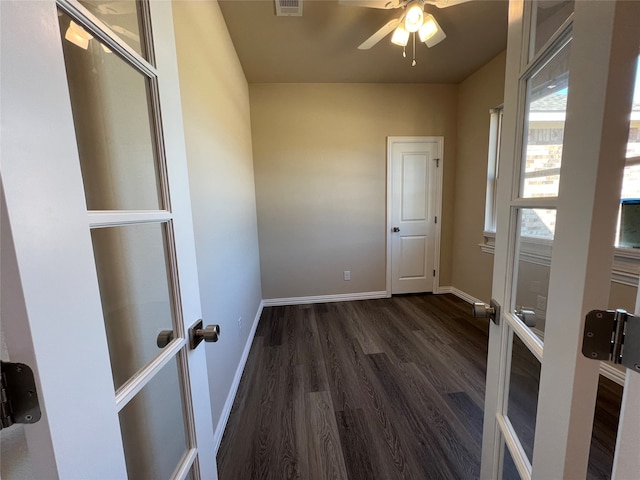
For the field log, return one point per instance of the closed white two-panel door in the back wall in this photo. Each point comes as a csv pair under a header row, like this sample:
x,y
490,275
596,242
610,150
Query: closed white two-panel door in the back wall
x,y
413,193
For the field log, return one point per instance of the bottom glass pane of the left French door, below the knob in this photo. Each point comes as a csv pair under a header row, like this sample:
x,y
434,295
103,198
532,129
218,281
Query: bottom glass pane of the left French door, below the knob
x,y
153,427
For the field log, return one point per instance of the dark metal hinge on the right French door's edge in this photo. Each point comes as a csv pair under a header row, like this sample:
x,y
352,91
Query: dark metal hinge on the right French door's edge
x,y
614,336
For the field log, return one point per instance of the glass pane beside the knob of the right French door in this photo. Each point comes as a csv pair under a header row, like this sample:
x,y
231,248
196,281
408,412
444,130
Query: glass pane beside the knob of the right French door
x,y
533,246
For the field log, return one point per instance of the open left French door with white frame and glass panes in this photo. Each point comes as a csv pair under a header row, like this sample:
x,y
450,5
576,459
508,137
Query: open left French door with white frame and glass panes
x,y
98,255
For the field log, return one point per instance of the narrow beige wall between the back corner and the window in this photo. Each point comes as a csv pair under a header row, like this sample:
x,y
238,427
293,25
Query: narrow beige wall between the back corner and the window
x,y
472,270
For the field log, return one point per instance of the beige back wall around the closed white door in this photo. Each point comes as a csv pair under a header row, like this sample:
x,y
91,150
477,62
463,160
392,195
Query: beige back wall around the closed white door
x,y
320,163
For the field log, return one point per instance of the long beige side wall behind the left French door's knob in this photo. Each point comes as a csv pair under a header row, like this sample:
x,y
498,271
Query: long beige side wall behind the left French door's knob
x,y
215,101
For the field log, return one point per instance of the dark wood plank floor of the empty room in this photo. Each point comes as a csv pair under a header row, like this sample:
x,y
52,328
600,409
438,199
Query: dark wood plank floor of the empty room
x,y
374,389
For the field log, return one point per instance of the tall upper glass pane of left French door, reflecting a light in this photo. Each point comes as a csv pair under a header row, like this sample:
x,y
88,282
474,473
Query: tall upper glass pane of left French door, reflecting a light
x,y
114,126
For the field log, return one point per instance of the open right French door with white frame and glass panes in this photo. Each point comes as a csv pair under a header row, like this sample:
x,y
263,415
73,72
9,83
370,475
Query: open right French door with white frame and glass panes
x,y
569,87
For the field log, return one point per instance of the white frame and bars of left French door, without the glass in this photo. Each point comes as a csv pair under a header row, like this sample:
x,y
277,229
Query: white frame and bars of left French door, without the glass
x,y
51,307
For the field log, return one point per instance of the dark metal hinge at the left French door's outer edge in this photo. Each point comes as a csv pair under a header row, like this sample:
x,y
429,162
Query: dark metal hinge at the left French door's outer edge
x,y
19,397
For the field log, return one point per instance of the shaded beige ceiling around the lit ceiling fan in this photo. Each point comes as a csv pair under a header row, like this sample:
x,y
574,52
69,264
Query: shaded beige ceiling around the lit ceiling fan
x,y
321,45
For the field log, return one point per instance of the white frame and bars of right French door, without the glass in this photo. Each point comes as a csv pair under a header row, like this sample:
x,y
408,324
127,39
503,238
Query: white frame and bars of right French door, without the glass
x,y
604,48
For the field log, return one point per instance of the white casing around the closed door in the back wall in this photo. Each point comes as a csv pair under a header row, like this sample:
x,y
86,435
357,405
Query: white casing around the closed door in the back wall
x,y
436,197
